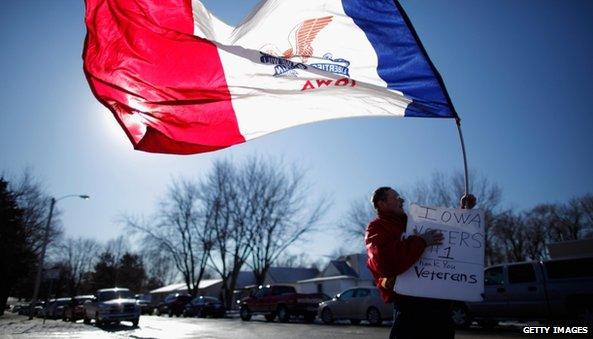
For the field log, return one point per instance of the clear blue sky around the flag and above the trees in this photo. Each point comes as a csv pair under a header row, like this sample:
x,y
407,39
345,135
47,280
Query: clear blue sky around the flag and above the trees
x,y
518,71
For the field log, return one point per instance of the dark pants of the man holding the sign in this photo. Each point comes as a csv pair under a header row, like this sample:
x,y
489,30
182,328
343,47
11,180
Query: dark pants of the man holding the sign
x,y
422,318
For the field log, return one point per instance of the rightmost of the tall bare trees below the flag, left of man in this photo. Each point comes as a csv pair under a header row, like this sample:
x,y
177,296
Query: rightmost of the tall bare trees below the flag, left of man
x,y
277,210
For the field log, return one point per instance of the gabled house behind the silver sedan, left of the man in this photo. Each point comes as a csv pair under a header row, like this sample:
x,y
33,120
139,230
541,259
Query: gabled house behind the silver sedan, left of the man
x,y
340,274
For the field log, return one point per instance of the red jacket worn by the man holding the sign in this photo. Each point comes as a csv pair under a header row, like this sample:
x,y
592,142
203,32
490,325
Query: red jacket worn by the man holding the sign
x,y
389,255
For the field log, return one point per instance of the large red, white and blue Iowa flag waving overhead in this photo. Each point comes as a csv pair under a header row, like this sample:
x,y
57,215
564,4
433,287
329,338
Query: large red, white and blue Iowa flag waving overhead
x,y
178,80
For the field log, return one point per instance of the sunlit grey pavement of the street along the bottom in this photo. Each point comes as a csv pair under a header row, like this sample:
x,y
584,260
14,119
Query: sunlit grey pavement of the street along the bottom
x,y
15,326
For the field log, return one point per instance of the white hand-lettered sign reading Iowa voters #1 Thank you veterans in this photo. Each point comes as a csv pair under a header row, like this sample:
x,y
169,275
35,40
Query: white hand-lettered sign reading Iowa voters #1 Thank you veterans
x,y
453,270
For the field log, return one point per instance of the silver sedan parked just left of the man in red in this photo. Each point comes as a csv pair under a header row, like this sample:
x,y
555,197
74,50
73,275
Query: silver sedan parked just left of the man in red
x,y
356,304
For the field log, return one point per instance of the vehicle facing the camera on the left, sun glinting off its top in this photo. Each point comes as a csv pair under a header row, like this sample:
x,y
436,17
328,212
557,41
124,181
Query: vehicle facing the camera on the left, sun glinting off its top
x,y
112,305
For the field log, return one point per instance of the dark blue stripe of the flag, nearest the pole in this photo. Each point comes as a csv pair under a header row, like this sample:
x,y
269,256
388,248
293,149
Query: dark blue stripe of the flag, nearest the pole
x,y
402,63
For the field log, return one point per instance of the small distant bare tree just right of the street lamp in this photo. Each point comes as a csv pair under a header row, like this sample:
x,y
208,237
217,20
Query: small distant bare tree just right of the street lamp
x,y
79,257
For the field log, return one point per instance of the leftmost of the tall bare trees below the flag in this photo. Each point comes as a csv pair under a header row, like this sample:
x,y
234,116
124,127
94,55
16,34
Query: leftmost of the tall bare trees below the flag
x,y
180,229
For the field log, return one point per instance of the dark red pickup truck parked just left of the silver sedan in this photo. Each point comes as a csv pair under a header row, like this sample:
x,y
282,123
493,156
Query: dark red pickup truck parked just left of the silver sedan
x,y
280,301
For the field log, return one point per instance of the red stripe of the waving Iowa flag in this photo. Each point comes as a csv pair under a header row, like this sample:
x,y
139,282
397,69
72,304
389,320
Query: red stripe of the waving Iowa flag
x,y
165,86
